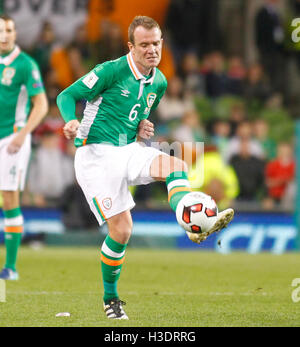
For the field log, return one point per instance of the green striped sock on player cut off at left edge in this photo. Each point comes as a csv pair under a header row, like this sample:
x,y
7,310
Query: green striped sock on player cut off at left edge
x,y
13,229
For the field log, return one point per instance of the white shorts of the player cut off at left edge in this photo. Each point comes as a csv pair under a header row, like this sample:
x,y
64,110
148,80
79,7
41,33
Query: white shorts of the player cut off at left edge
x,y
13,167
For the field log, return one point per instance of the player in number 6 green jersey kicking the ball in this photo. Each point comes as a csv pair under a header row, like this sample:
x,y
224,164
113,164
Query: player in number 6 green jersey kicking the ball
x,y
120,95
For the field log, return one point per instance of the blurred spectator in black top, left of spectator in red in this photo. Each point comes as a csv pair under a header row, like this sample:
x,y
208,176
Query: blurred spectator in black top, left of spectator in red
x,y
250,172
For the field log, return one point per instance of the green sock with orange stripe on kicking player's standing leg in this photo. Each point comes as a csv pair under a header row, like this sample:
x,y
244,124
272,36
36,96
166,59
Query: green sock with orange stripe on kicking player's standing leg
x,y
112,258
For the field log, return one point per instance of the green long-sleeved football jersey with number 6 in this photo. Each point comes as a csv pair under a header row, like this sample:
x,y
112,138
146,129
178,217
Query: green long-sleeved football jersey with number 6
x,y
118,98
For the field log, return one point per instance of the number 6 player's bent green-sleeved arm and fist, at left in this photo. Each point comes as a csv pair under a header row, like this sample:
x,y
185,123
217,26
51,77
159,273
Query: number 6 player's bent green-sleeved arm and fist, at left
x,y
88,87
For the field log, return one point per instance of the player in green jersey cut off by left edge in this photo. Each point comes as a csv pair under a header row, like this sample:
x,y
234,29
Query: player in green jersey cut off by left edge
x,y
20,86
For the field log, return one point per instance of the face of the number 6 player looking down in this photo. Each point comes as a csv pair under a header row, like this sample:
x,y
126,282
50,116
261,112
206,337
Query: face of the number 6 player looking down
x,y
146,50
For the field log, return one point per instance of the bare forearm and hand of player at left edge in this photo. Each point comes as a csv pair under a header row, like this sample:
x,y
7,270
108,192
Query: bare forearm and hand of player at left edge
x,y
38,112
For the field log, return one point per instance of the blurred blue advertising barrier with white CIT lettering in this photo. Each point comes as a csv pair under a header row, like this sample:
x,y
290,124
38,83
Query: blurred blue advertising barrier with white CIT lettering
x,y
249,232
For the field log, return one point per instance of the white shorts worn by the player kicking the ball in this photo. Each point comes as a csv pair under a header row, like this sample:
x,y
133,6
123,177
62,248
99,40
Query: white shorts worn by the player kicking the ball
x,y
105,172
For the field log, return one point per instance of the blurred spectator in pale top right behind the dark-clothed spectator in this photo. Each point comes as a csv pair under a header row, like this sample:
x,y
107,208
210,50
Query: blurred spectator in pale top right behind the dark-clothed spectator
x,y
244,134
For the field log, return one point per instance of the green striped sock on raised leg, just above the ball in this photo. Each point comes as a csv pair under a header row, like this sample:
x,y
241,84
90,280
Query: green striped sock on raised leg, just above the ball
x,y
178,186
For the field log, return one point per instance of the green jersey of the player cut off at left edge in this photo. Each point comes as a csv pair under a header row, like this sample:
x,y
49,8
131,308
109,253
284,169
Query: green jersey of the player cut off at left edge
x,y
20,79
